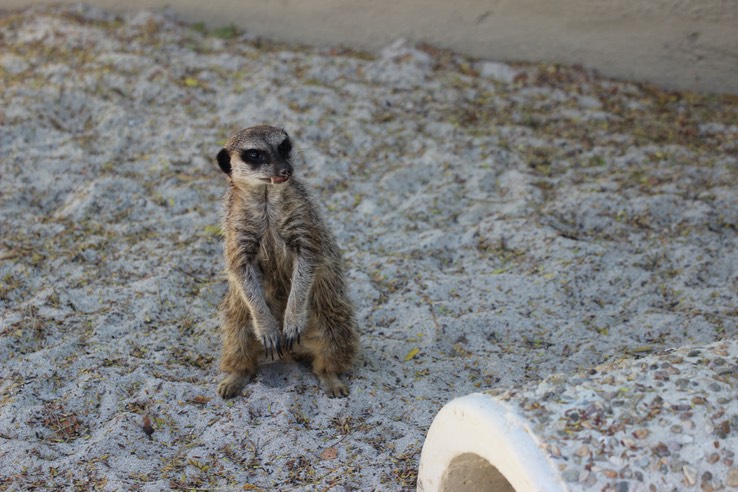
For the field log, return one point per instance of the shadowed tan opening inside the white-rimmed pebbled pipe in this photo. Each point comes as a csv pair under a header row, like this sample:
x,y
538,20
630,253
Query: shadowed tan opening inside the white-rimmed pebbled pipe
x,y
470,472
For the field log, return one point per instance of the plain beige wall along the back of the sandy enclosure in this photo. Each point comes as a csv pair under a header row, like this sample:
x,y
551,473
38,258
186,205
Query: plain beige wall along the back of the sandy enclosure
x,y
676,44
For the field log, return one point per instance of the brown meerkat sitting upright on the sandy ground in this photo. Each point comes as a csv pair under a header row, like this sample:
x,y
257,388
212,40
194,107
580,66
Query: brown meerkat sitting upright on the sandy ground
x,y
286,292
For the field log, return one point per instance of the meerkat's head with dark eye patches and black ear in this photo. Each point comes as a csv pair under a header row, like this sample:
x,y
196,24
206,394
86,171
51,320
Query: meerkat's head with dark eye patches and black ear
x,y
258,155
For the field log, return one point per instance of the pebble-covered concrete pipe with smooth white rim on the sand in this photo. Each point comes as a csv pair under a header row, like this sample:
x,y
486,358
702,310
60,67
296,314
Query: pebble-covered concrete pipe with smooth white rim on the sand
x,y
661,423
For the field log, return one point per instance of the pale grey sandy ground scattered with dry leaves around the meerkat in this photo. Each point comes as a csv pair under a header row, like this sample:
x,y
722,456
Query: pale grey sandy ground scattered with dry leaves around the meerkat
x,y
499,223
